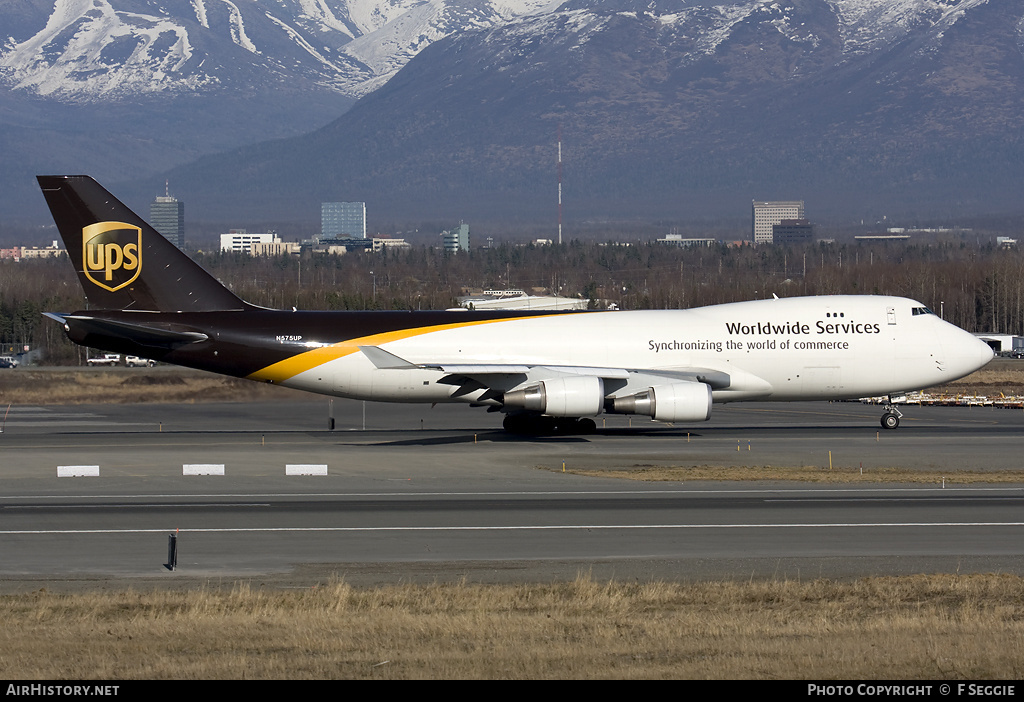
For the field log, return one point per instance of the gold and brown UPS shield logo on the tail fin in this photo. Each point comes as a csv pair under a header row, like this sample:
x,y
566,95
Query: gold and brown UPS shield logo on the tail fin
x,y
112,254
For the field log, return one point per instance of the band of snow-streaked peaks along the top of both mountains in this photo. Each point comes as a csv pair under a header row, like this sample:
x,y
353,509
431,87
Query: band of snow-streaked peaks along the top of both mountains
x,y
117,50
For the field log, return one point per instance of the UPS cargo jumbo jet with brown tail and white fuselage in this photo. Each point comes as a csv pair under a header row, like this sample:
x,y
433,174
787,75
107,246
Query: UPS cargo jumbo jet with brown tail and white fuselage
x,y
546,372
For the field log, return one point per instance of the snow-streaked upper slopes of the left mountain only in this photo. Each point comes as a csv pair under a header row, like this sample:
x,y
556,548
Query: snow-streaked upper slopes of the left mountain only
x,y
88,51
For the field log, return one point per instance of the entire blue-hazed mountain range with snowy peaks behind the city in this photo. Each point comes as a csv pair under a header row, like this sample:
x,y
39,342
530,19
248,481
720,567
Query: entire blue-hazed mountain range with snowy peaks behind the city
x,y
663,103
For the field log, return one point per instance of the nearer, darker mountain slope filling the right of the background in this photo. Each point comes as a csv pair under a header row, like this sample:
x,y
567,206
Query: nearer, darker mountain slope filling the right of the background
x,y
678,108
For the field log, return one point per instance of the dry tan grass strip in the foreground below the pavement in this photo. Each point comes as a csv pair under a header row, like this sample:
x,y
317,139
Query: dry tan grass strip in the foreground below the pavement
x,y
921,628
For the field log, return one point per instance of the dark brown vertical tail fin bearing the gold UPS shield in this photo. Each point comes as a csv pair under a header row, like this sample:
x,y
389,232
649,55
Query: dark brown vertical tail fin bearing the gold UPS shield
x,y
122,262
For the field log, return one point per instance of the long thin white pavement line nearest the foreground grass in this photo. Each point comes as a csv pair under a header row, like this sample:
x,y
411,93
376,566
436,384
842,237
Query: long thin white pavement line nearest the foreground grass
x,y
546,528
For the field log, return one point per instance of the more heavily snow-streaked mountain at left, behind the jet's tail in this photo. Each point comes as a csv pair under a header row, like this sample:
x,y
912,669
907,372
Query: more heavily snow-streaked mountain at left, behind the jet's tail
x,y
123,89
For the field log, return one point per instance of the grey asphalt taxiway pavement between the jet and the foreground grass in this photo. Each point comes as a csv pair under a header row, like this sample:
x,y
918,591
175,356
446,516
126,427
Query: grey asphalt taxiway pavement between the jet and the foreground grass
x,y
420,494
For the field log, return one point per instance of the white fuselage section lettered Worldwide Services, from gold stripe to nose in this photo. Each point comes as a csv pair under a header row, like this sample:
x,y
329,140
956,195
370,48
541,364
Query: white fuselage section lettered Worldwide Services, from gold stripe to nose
x,y
782,349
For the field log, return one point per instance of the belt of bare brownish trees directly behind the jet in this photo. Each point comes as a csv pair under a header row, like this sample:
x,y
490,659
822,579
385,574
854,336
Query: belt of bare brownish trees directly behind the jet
x,y
980,289
